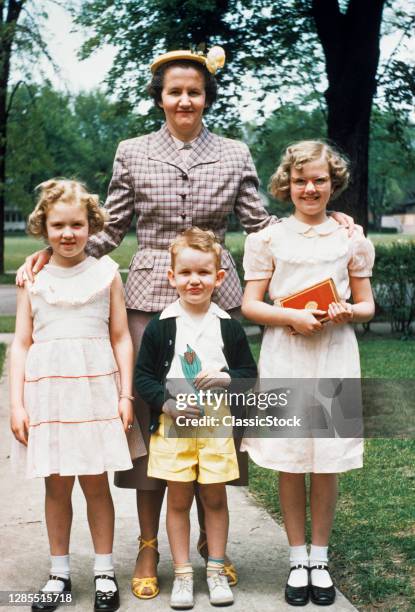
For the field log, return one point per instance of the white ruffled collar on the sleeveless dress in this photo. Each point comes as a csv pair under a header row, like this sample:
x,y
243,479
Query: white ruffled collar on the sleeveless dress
x,y
75,289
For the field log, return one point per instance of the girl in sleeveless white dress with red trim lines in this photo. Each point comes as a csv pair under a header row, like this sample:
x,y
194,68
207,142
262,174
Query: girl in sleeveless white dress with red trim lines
x,y
71,381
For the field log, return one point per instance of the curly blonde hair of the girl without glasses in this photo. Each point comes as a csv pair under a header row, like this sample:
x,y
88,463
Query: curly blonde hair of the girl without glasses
x,y
68,191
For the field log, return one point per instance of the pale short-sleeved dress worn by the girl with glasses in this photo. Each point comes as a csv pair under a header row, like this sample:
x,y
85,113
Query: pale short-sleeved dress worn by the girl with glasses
x,y
295,256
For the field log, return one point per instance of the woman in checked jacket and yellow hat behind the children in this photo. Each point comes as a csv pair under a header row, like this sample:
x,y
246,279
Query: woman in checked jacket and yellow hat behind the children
x,y
172,179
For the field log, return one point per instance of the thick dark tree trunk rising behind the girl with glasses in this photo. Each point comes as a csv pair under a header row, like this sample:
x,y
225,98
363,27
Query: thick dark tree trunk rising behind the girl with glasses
x,y
351,47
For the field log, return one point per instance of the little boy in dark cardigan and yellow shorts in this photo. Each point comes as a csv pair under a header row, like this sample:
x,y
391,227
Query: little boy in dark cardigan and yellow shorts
x,y
193,339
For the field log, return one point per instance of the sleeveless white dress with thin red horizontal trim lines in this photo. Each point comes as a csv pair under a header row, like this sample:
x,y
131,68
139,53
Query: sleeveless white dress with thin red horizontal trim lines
x,y
70,391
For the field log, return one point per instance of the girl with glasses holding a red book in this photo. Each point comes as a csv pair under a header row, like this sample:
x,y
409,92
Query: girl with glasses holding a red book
x,y
283,259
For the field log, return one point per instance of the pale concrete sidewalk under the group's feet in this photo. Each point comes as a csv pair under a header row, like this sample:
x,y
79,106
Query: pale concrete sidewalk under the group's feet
x,y
257,545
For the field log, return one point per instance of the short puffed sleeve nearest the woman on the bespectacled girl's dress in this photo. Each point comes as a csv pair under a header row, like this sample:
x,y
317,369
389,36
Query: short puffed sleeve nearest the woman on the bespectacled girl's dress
x,y
258,261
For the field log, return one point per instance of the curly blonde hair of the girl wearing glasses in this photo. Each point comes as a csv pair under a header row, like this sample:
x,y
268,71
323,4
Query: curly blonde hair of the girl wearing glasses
x,y
301,153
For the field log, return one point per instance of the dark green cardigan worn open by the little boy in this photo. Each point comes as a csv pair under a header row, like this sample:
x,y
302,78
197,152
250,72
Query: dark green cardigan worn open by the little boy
x,y
157,352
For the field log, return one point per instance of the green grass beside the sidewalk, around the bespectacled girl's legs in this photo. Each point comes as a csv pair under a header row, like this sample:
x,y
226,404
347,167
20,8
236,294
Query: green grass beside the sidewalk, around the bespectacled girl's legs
x,y
373,541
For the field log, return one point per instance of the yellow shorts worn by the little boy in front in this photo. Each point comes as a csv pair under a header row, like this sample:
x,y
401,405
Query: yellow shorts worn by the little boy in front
x,y
208,460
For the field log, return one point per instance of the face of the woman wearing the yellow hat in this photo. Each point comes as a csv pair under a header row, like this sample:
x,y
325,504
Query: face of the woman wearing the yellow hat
x,y
183,99
